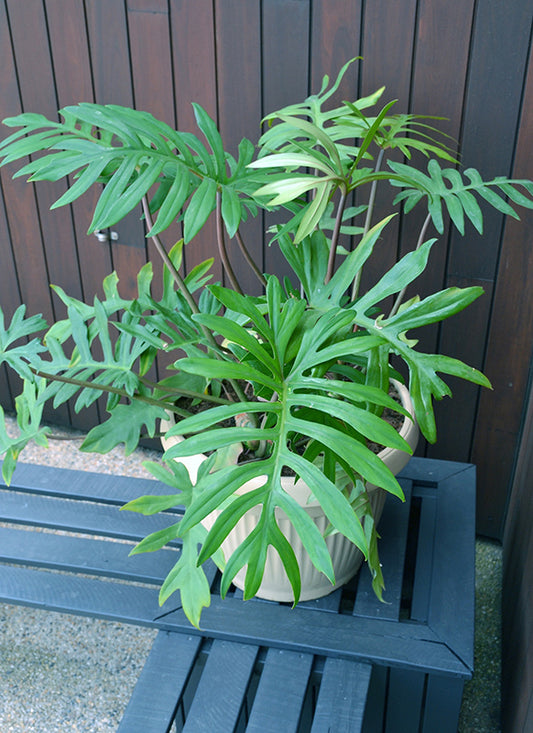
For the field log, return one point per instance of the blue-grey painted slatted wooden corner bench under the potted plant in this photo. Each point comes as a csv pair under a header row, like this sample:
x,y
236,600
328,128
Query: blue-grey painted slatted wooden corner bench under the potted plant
x,y
341,664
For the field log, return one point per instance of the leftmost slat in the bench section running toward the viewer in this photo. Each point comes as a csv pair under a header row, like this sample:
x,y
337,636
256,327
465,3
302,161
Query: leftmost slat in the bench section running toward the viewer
x,y
152,706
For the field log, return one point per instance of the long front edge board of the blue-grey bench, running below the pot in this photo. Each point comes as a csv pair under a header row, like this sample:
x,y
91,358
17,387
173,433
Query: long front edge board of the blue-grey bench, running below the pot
x,y
261,624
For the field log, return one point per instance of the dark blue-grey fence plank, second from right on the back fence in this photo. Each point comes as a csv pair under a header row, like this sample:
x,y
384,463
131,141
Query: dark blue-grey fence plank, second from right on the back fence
x,y
499,43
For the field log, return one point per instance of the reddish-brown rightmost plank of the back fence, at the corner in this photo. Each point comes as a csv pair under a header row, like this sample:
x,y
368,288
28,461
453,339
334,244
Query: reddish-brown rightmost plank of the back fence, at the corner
x,y
509,346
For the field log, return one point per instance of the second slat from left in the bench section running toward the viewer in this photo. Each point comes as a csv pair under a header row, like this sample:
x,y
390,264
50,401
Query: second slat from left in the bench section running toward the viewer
x,y
222,688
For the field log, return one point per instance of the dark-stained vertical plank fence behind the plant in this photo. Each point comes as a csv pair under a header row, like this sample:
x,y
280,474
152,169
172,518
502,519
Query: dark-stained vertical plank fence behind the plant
x,y
465,59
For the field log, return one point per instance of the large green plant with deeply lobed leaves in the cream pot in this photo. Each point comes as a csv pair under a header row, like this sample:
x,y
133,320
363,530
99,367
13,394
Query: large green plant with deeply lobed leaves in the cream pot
x,y
297,377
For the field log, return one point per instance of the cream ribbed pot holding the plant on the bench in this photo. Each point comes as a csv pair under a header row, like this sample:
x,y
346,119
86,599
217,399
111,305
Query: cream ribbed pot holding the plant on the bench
x,y
345,556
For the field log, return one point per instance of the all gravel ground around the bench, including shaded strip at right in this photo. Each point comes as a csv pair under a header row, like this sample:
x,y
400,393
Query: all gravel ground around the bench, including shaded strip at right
x,y
61,673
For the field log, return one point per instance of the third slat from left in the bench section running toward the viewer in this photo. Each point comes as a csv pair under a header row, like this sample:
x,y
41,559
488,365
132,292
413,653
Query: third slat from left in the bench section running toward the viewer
x,y
280,696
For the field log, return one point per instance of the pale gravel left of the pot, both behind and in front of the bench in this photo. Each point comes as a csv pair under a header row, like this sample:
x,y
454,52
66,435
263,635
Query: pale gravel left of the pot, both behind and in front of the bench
x,y
62,673
